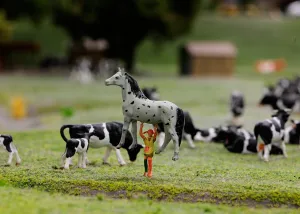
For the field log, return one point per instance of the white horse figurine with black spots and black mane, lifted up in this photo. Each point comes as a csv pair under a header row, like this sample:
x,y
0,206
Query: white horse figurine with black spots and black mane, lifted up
x,y
136,107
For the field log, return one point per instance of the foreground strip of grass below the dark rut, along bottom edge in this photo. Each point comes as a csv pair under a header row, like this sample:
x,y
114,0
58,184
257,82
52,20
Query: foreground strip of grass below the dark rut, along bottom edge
x,y
36,202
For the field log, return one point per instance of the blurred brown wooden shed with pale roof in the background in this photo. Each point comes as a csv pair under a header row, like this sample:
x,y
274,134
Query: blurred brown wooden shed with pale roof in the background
x,y
209,58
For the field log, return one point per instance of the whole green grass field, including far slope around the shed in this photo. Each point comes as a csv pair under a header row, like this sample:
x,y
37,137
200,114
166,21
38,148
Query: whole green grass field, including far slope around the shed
x,y
209,174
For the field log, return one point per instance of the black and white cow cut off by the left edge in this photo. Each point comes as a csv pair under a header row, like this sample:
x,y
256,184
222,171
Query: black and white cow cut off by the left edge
x,y
7,142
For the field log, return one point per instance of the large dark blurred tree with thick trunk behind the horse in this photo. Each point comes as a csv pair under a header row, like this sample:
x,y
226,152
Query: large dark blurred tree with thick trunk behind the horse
x,y
123,23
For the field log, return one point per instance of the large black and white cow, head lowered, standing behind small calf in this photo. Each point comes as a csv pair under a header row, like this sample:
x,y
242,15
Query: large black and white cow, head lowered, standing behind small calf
x,y
105,135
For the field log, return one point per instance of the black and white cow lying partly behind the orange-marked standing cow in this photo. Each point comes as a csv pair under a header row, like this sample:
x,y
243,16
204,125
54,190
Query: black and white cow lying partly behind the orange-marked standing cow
x,y
239,140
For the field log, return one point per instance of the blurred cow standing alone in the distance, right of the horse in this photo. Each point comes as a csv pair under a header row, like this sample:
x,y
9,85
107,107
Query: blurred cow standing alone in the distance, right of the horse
x,y
237,104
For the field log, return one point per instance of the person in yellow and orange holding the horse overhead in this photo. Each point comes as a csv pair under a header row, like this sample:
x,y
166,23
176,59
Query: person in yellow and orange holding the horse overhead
x,y
149,148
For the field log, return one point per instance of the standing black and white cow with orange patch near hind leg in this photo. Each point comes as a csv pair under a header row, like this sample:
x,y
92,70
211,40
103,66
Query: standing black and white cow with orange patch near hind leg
x,y
271,132
